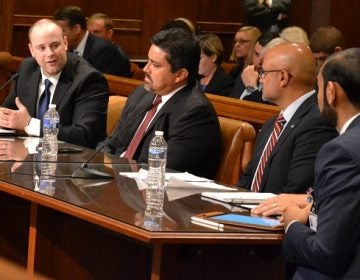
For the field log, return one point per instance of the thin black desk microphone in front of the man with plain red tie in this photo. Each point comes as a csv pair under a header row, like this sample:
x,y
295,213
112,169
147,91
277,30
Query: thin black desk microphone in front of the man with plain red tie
x,y
86,172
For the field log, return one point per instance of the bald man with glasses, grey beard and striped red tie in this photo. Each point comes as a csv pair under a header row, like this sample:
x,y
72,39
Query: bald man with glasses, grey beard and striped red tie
x,y
286,147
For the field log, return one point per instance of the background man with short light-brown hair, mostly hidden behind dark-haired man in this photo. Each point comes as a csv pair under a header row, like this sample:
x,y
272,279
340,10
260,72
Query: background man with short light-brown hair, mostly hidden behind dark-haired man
x,y
101,26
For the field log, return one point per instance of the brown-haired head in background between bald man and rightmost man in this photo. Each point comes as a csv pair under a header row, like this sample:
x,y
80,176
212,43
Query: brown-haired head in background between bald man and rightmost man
x,y
325,41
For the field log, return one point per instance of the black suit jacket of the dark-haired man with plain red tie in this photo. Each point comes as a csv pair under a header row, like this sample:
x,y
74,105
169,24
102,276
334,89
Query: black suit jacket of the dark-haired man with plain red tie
x,y
191,129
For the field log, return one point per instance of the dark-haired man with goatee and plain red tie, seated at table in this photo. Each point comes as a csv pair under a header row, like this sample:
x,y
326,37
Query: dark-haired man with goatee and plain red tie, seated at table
x,y
188,120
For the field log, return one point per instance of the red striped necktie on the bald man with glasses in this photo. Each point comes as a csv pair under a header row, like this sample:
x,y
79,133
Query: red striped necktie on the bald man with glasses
x,y
279,124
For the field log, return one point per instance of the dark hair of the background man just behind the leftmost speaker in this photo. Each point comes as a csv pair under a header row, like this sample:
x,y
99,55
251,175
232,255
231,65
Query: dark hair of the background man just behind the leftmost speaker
x,y
72,15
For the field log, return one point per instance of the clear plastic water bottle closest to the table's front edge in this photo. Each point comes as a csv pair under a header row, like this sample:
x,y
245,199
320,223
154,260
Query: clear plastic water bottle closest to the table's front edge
x,y
156,176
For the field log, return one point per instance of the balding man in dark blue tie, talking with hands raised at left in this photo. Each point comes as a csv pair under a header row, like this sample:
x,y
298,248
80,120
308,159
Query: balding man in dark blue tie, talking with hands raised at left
x,y
79,91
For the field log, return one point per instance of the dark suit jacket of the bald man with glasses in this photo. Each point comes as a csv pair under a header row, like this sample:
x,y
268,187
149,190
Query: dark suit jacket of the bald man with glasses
x,y
290,167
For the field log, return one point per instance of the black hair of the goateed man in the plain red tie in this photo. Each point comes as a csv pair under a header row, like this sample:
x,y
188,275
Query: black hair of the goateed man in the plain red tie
x,y
182,50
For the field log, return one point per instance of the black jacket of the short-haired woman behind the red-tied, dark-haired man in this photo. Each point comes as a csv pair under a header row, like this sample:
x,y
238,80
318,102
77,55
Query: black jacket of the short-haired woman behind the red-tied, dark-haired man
x,y
220,83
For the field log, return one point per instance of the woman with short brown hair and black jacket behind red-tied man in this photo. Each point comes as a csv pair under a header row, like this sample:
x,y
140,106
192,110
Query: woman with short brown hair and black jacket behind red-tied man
x,y
213,79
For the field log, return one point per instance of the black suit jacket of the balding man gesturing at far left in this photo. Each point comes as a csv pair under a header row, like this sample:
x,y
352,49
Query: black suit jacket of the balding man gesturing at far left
x,y
81,98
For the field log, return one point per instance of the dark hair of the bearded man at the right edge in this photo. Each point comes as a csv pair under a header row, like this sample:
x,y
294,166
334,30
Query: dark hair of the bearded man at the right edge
x,y
343,68
